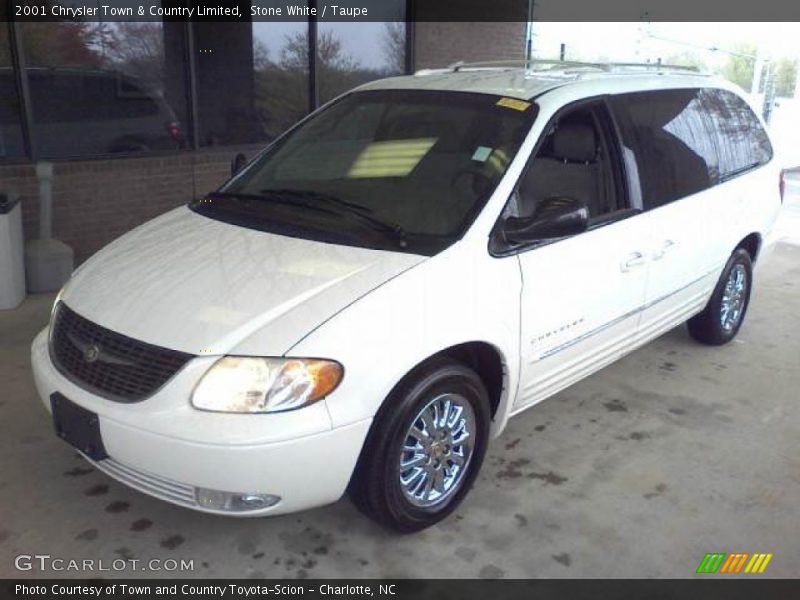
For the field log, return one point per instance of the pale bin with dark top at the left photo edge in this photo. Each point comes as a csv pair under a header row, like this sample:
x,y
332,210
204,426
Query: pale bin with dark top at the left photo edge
x,y
12,252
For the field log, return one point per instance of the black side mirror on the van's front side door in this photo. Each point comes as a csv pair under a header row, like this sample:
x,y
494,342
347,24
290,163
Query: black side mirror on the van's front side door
x,y
556,217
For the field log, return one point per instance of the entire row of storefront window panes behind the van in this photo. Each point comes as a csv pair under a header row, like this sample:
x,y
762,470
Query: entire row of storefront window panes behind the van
x,y
122,88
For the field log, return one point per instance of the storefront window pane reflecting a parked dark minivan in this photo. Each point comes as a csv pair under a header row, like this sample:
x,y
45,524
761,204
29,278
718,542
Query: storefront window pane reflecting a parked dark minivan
x,y
105,88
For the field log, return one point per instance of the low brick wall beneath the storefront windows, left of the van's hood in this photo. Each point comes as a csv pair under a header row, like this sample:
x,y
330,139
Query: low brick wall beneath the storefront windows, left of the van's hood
x,y
96,201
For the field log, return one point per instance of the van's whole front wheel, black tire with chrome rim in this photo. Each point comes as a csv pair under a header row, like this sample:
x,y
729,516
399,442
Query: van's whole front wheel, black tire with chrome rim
x,y
406,418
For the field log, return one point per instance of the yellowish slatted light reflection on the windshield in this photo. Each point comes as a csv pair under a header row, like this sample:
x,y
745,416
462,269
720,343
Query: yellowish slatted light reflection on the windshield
x,y
395,158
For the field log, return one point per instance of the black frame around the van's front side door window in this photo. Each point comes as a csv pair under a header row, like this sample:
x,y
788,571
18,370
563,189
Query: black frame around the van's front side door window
x,y
500,248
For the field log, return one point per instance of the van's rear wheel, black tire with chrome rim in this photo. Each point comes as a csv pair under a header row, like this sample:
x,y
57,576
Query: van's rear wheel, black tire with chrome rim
x,y
724,314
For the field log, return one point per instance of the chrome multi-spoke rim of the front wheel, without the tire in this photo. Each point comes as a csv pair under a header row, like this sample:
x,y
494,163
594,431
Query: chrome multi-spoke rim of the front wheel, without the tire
x,y
436,450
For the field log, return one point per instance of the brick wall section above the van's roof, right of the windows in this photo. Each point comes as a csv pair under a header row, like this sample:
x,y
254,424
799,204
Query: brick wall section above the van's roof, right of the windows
x,y
440,44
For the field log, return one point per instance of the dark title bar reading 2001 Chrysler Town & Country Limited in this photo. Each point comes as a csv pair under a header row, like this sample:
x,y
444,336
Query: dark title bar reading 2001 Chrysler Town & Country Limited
x,y
400,10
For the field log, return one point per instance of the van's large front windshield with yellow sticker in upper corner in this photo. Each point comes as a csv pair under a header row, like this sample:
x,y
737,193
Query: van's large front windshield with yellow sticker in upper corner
x,y
392,169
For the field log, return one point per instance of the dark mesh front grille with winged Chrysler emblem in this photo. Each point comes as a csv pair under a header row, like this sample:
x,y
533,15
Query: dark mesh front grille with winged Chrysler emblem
x,y
107,363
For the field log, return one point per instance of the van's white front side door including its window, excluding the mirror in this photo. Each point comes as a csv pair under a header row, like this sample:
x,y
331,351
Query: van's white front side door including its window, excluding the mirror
x,y
581,295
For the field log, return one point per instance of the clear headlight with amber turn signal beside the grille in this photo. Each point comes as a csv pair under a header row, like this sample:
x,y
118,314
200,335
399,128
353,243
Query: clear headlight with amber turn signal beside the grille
x,y
244,384
